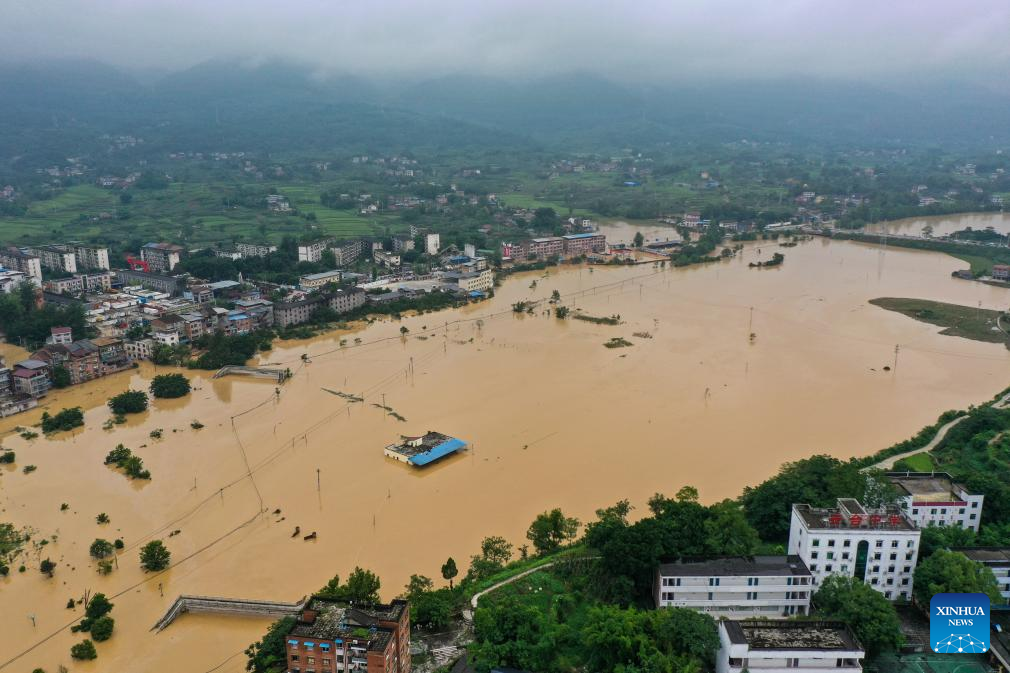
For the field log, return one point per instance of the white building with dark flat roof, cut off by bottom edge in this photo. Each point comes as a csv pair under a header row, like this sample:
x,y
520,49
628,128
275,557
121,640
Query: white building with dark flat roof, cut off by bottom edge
x,y
799,647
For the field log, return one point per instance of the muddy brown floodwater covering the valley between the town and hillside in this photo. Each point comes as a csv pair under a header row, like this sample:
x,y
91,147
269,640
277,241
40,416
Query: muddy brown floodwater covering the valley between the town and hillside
x,y
555,419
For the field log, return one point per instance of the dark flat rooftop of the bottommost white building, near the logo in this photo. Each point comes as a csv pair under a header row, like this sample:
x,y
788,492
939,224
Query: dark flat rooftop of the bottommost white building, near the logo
x,y
792,635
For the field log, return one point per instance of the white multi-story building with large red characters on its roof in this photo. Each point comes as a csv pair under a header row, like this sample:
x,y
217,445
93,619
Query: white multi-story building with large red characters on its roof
x,y
879,547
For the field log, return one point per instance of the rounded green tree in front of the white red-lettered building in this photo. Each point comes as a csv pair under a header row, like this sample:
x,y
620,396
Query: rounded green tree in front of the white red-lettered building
x,y
871,617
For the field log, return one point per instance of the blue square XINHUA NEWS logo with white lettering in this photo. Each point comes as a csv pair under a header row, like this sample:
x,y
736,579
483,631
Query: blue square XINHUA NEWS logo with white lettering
x,y
959,623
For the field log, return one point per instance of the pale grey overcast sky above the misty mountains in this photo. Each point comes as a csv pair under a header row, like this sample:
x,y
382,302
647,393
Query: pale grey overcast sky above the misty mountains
x,y
629,40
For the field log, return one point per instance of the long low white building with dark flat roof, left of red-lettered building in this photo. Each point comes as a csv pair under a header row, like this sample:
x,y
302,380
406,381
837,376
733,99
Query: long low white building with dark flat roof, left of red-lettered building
x,y
760,587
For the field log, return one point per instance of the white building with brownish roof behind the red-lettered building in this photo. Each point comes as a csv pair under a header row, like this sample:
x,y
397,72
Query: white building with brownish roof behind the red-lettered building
x,y
934,499
